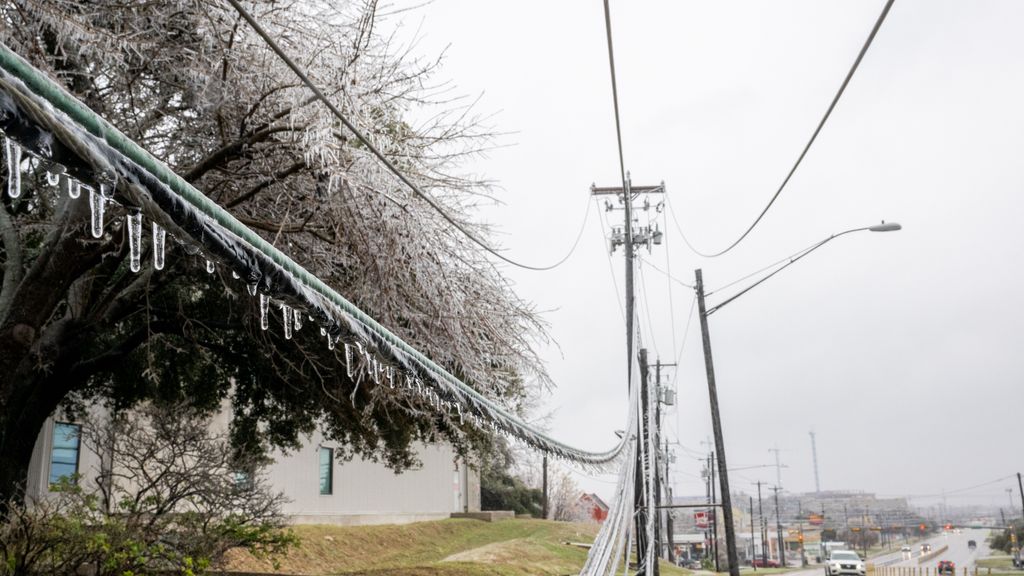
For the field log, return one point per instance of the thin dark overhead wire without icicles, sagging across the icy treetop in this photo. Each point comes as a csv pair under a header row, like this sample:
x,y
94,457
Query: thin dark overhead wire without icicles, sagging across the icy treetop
x,y
380,156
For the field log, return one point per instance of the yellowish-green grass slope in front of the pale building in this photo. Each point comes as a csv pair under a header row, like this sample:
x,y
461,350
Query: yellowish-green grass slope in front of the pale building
x,y
448,548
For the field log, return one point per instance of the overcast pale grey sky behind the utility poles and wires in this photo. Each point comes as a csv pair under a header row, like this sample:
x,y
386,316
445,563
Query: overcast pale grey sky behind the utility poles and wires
x,y
903,351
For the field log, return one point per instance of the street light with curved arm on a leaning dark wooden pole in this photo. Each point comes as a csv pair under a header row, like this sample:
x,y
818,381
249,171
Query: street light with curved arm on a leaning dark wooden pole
x,y
716,422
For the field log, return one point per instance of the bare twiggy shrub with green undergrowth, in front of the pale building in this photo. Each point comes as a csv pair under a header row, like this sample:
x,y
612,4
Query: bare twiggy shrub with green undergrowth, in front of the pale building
x,y
173,496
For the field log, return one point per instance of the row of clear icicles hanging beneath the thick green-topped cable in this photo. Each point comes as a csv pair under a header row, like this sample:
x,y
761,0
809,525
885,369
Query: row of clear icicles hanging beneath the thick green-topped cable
x,y
292,318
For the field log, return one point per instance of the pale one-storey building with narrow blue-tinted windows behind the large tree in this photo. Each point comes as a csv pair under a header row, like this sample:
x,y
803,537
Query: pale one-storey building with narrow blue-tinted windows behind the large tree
x,y
321,490
